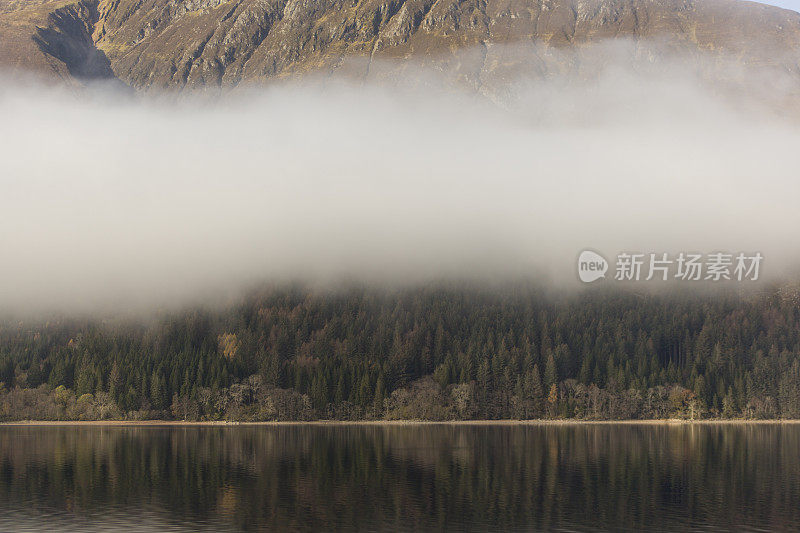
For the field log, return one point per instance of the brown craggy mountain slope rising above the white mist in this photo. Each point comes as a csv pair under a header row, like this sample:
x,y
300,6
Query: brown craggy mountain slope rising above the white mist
x,y
151,44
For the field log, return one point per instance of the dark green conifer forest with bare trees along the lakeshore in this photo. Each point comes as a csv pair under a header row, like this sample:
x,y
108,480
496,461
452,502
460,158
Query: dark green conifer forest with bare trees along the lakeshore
x,y
435,352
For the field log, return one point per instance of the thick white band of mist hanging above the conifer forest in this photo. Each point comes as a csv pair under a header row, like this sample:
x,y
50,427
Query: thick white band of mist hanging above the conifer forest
x,y
120,202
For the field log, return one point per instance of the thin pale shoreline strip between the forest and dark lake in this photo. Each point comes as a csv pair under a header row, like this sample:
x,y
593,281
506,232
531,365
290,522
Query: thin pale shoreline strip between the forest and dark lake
x,y
541,422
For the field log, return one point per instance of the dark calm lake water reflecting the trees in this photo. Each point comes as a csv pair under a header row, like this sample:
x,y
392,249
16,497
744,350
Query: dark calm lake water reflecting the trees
x,y
441,477
